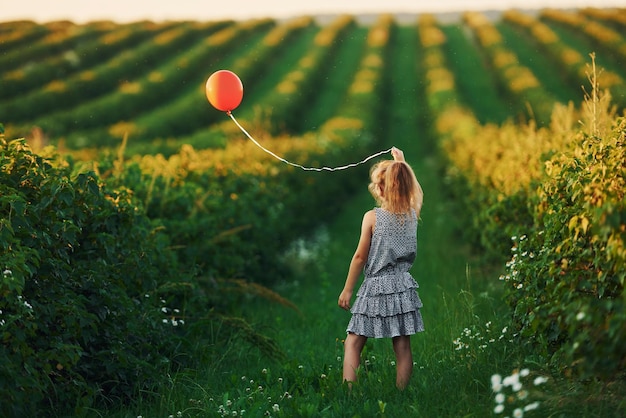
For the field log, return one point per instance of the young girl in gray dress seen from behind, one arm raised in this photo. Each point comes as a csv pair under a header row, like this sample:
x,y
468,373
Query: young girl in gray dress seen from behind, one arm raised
x,y
387,305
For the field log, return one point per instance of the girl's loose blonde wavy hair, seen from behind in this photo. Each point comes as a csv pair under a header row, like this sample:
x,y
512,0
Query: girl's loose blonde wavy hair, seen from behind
x,y
395,187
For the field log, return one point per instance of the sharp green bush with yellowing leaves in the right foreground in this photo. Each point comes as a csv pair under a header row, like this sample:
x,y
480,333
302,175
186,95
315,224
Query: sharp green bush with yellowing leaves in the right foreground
x,y
566,277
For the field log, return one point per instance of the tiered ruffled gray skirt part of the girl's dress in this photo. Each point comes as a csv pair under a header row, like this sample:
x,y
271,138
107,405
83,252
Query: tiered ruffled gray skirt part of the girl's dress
x,y
387,306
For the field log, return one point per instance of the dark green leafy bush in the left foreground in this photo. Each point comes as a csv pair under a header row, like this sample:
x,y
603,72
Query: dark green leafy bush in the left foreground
x,y
80,318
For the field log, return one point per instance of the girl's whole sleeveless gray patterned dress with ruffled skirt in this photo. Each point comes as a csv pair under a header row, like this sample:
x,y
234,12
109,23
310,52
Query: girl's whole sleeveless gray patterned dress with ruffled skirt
x,y
387,303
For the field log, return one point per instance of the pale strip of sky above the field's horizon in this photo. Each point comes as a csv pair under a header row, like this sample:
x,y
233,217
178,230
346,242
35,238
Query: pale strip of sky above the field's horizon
x,y
82,11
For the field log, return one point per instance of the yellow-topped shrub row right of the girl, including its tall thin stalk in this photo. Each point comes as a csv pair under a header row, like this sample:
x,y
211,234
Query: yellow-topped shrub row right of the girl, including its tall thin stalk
x,y
559,191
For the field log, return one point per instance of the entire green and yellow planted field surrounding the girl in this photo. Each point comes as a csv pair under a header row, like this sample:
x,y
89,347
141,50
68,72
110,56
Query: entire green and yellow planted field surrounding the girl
x,y
157,263
